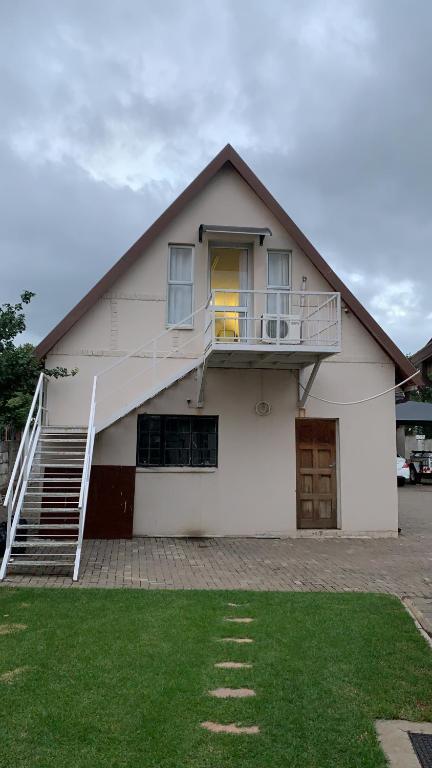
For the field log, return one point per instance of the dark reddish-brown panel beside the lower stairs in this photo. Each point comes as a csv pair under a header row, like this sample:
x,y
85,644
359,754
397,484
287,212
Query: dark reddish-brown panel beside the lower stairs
x,y
110,503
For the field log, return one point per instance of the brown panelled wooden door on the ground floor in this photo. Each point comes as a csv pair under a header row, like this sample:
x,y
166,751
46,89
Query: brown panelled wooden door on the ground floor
x,y
316,473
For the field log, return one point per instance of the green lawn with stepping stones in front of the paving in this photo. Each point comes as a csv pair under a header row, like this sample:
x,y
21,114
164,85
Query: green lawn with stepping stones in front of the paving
x,y
120,678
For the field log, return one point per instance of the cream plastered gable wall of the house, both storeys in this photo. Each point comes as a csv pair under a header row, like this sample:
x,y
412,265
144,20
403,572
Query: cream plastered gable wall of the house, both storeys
x,y
253,489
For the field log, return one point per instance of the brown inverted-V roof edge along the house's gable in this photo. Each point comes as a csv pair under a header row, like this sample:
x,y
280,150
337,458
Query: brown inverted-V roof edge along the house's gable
x,y
228,156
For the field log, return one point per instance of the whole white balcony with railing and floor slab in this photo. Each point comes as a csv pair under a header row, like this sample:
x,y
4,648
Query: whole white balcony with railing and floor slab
x,y
271,329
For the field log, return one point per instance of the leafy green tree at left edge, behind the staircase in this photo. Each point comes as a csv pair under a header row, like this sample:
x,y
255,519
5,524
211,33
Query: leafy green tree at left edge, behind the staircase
x,y
19,366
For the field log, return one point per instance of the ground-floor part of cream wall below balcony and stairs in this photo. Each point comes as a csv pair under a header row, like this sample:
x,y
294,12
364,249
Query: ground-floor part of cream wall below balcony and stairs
x,y
253,489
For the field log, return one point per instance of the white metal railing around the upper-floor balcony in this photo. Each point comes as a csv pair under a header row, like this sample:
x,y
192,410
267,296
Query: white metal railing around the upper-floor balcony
x,y
274,317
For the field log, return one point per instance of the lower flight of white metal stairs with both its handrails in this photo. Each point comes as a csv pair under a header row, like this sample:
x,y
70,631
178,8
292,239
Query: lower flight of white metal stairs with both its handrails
x,y
46,499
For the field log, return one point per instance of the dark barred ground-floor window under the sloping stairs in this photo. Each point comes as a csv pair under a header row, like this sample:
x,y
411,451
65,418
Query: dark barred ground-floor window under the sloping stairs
x,y
177,441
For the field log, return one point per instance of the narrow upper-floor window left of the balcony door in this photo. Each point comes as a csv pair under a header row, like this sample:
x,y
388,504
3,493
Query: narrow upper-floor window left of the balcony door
x,y
180,285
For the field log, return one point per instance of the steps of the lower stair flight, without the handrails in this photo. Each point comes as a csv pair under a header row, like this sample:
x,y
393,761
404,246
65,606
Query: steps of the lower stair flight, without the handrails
x,y
47,529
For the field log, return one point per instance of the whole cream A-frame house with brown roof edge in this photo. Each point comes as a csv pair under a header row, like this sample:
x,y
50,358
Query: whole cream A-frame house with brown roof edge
x,y
206,338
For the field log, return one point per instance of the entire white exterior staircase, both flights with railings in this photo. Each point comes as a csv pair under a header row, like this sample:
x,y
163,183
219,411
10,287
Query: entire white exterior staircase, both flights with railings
x,y
46,500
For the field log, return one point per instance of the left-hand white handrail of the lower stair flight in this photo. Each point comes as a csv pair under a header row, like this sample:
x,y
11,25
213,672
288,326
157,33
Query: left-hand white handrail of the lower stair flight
x,y
19,478
